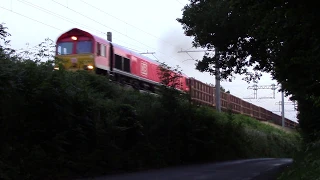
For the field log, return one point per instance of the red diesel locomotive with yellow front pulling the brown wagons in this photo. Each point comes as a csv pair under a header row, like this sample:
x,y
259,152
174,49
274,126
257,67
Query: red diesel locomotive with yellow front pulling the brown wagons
x,y
81,50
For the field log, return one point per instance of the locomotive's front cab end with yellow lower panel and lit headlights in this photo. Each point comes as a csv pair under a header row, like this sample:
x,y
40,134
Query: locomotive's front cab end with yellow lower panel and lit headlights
x,y
75,50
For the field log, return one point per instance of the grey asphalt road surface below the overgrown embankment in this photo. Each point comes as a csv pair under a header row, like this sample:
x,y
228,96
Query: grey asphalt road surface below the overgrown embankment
x,y
251,169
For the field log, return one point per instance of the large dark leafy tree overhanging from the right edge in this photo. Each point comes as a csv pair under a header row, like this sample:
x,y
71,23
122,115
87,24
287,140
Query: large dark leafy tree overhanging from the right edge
x,y
276,37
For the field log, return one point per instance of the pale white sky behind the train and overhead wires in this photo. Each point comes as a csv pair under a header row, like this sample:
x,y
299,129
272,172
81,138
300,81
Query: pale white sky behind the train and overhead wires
x,y
140,25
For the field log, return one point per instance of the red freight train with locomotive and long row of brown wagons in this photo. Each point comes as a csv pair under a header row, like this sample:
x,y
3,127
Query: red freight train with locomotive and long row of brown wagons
x,y
82,50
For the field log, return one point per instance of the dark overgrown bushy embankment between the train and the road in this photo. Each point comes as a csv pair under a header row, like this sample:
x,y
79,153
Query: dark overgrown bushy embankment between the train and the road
x,y
60,124
